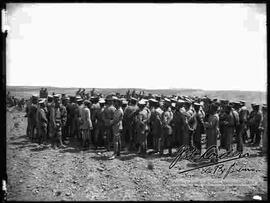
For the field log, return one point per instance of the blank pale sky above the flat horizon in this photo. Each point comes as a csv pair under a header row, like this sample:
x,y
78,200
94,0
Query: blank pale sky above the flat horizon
x,y
204,46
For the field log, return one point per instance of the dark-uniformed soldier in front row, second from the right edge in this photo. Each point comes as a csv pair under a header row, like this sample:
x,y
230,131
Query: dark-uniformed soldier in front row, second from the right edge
x,y
255,124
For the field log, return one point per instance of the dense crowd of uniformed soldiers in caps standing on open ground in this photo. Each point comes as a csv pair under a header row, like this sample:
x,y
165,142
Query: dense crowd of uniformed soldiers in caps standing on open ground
x,y
143,122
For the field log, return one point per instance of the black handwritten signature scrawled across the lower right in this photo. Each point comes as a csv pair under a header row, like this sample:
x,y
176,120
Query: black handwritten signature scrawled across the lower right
x,y
188,153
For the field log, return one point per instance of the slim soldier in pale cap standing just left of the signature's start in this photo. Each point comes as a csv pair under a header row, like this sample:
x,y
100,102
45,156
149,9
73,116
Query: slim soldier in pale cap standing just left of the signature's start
x,y
166,136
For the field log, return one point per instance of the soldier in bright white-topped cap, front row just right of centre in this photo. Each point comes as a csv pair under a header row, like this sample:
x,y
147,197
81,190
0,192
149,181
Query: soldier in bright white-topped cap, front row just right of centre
x,y
142,127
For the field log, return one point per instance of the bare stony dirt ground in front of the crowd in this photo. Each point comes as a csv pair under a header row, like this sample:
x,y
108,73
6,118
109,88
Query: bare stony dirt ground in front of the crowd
x,y
42,173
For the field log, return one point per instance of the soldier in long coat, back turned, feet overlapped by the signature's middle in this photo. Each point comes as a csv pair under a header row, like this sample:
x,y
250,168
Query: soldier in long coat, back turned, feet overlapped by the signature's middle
x,y
211,128
